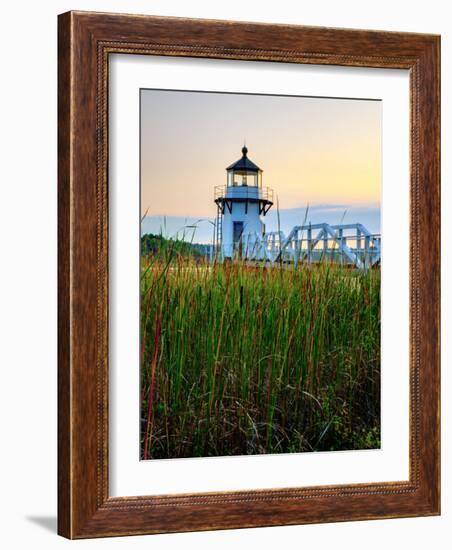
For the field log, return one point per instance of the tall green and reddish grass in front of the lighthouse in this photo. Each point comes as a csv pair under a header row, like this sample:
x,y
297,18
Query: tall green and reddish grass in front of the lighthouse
x,y
240,359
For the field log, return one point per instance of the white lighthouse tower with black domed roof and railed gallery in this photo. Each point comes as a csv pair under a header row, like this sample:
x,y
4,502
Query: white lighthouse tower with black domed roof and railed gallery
x,y
241,206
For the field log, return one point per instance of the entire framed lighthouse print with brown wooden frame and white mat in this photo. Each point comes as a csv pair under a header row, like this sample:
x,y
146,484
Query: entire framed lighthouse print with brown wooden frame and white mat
x,y
248,275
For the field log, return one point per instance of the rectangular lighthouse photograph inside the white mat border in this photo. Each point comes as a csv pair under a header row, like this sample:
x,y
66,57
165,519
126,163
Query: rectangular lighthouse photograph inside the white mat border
x,y
260,274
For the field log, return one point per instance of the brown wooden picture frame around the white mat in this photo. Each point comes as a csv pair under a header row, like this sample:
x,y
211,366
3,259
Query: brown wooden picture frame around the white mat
x,y
85,42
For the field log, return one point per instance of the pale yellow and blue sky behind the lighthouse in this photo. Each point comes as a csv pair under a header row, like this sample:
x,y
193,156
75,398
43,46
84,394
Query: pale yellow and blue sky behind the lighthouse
x,y
321,156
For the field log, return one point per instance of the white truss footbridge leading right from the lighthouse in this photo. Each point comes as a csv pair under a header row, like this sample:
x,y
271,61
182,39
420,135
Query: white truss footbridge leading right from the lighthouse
x,y
346,244
